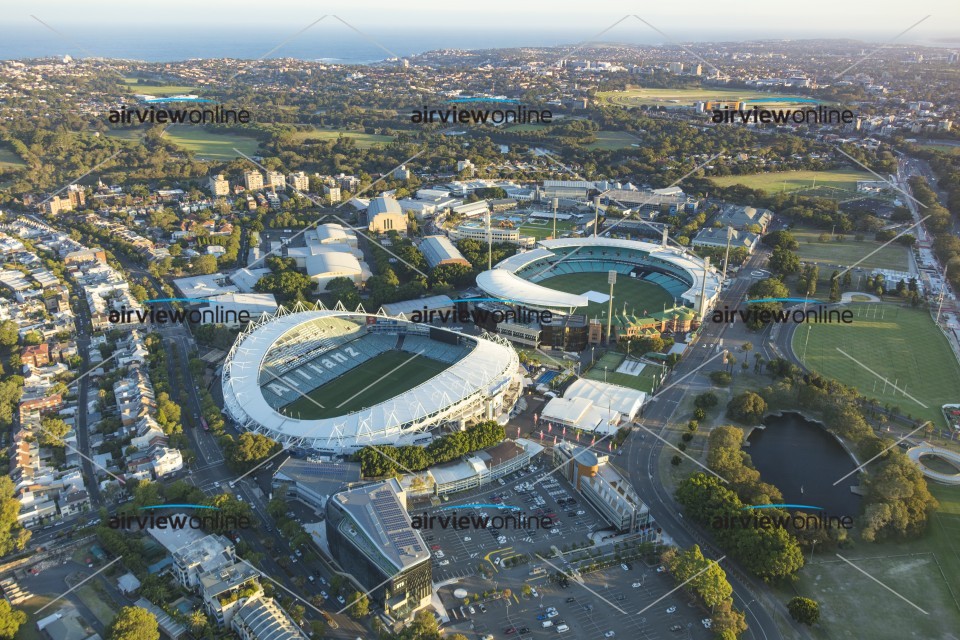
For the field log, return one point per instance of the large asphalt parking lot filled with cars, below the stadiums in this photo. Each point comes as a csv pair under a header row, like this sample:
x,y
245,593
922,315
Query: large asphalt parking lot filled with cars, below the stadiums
x,y
582,610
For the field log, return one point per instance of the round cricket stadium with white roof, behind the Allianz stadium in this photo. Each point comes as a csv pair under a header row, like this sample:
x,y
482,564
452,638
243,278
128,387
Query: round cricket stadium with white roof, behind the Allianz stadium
x,y
569,275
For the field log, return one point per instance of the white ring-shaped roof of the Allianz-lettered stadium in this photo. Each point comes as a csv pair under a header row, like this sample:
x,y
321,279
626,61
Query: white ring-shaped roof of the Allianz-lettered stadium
x,y
452,393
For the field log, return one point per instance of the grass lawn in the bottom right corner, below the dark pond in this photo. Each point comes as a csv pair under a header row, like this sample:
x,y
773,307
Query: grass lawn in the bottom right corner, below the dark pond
x,y
926,571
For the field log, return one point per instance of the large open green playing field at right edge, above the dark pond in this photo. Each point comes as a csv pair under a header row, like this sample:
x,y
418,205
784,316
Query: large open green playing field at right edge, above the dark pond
x,y
900,343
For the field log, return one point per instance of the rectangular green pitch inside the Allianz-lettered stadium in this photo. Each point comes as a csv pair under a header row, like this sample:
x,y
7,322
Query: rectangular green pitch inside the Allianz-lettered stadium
x,y
375,381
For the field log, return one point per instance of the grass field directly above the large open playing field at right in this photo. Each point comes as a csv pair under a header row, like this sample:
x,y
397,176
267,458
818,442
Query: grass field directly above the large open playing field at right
x,y
847,252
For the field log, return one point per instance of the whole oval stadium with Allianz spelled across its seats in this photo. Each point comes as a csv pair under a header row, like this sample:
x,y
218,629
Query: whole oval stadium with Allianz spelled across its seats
x,y
336,381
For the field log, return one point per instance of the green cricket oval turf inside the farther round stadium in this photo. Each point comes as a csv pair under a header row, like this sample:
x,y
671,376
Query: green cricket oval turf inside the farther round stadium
x,y
637,294
